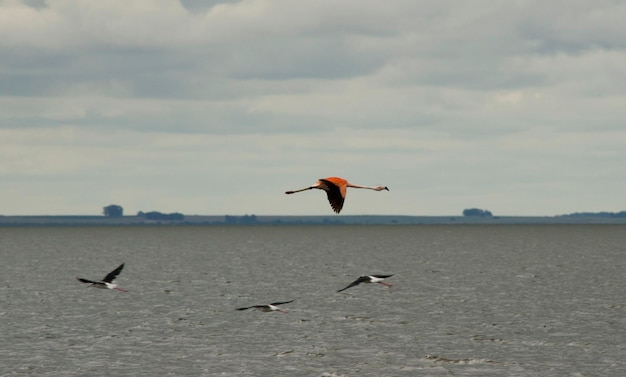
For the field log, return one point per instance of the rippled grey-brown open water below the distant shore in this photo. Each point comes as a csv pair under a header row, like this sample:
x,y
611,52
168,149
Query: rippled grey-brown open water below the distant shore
x,y
482,300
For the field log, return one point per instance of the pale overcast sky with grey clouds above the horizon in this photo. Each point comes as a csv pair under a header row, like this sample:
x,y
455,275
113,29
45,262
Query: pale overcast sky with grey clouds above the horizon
x,y
219,107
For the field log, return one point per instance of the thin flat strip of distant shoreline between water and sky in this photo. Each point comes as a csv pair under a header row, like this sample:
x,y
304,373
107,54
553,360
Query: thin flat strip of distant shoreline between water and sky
x,y
78,220
